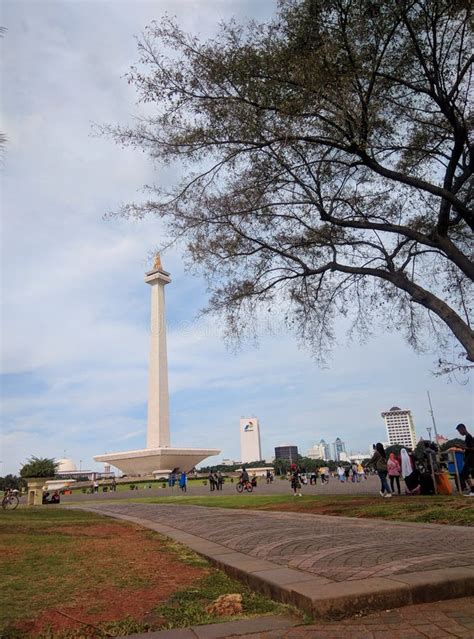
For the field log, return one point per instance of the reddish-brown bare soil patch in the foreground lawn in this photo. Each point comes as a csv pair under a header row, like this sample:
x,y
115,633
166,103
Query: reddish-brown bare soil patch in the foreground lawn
x,y
121,551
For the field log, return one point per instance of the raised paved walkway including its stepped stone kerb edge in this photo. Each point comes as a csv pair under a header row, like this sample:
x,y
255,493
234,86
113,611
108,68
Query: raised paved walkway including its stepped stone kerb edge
x,y
331,566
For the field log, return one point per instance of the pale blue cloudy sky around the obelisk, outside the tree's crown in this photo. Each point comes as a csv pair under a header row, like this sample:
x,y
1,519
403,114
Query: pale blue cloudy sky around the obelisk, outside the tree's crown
x,y
74,329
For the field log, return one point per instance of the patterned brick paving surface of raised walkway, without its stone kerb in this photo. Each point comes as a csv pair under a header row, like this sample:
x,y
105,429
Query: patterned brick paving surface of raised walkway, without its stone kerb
x,y
335,548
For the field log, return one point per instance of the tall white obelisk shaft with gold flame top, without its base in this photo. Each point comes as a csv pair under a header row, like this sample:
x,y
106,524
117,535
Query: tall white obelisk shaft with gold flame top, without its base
x,y
158,428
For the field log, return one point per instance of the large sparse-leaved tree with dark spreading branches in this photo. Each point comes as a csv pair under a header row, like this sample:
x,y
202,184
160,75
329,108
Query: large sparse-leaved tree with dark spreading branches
x,y
327,158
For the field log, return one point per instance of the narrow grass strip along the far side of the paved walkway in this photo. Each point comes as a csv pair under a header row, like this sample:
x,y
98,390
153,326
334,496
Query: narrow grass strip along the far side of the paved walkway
x,y
456,510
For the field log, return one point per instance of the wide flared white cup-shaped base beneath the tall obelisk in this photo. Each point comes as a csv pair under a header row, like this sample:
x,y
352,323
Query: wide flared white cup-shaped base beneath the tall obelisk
x,y
152,461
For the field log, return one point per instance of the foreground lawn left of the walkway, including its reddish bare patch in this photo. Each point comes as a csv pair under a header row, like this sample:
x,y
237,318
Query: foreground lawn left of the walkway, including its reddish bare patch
x,y
74,574
